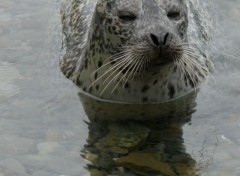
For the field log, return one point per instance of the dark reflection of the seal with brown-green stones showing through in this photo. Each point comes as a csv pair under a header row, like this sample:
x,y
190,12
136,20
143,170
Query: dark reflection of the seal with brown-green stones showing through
x,y
132,147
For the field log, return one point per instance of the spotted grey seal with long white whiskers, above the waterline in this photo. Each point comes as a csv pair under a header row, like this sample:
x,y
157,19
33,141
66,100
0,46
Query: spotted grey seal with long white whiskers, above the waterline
x,y
134,51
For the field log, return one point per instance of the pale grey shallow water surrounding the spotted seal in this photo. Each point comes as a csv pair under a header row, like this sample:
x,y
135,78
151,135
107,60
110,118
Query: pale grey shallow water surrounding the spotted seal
x,y
42,122
